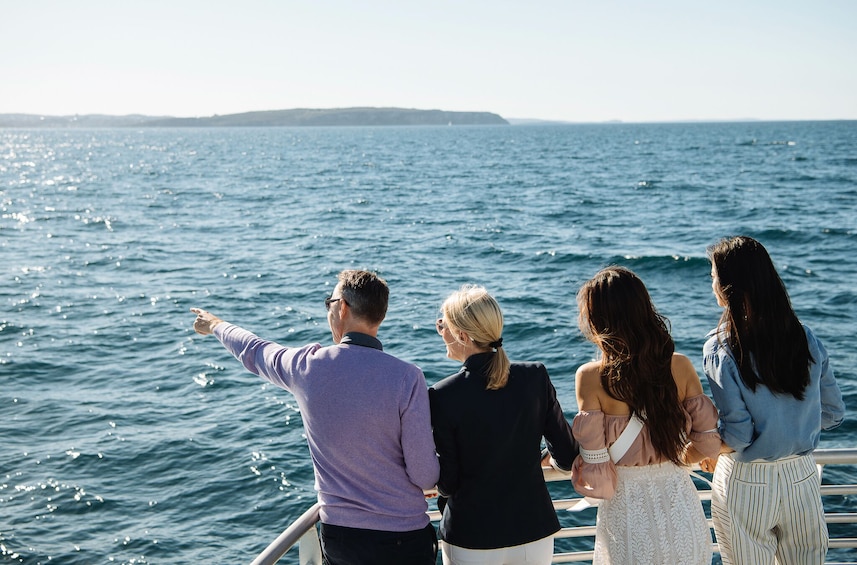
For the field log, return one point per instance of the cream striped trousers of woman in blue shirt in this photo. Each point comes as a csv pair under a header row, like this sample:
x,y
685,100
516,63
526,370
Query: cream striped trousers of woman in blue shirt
x,y
767,513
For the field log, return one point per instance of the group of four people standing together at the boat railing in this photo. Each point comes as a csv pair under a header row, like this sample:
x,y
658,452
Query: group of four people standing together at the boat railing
x,y
379,441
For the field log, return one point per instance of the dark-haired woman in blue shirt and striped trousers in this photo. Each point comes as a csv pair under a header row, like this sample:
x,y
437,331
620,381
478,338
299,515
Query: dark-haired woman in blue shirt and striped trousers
x,y
771,380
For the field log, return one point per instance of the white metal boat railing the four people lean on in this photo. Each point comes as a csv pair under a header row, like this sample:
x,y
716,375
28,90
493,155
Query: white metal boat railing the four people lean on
x,y
303,533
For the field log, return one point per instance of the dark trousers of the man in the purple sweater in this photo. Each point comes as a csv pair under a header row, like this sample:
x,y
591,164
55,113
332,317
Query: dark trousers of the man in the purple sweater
x,y
355,546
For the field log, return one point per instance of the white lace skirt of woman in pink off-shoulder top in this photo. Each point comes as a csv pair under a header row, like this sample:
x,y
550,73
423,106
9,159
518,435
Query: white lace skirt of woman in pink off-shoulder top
x,y
654,518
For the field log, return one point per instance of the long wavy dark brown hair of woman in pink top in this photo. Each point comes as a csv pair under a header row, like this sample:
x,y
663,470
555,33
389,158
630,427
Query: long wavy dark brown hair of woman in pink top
x,y
617,315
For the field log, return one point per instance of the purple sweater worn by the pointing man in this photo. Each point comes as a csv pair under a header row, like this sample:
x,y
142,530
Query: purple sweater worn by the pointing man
x,y
367,421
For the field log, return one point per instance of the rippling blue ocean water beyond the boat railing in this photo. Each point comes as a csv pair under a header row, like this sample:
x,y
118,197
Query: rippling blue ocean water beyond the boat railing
x,y
128,438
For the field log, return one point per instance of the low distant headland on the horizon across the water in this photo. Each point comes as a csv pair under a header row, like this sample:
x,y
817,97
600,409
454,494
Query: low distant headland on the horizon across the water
x,y
299,117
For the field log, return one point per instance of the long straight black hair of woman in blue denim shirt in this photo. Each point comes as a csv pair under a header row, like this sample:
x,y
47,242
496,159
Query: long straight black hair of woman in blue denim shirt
x,y
761,328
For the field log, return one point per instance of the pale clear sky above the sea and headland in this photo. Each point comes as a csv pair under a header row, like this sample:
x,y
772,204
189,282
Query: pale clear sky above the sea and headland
x,y
562,60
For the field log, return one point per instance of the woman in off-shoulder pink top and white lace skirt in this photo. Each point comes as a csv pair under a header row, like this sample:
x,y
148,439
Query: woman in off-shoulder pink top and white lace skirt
x,y
642,416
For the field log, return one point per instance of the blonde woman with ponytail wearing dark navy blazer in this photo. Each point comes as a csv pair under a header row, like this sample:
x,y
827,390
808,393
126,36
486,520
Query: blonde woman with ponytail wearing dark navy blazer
x,y
489,419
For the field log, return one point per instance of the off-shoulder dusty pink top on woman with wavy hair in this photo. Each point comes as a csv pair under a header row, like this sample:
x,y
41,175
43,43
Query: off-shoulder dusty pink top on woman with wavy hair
x,y
596,430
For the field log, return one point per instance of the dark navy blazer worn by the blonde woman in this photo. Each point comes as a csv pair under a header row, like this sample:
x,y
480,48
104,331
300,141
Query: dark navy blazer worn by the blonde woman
x,y
489,444
